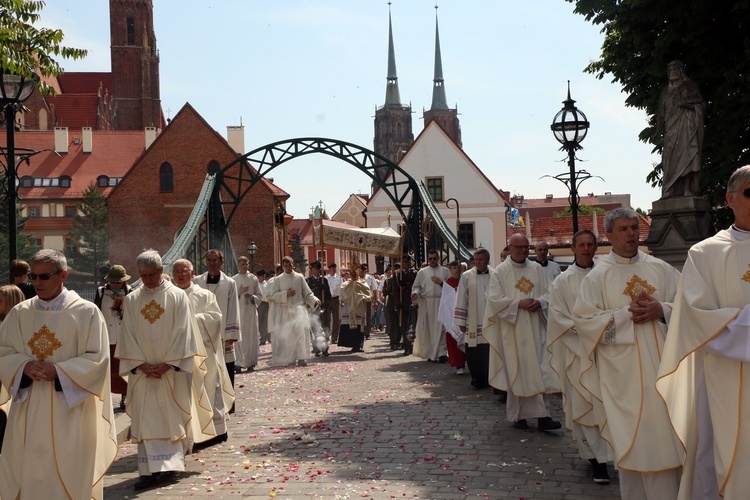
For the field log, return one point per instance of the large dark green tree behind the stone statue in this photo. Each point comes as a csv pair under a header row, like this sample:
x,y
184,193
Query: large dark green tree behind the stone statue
x,y
642,36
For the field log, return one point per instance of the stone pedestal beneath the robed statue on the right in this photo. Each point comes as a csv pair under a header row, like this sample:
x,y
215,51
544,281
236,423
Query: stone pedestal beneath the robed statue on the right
x,y
676,225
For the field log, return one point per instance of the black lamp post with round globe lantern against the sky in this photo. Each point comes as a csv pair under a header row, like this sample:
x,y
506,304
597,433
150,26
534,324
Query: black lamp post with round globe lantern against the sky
x,y
570,127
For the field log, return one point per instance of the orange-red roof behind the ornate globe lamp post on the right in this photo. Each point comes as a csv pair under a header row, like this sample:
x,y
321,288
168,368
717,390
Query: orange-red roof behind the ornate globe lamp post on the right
x,y
558,231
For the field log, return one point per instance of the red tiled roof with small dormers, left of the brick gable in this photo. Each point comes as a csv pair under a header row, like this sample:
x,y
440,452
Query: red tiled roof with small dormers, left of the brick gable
x,y
113,154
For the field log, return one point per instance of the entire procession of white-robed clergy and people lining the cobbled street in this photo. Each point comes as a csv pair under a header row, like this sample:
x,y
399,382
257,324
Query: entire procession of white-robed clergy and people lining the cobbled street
x,y
650,361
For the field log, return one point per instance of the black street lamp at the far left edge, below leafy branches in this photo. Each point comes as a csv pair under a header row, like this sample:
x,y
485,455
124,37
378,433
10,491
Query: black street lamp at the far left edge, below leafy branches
x,y
14,90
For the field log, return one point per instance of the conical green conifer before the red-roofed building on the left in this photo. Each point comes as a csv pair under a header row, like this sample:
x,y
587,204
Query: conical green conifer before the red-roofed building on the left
x,y
90,235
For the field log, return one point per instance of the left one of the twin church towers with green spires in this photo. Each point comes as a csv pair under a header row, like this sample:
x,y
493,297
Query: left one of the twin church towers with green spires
x,y
393,132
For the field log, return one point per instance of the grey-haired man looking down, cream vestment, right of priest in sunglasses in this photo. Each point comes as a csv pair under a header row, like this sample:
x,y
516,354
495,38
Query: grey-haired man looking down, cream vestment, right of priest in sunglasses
x,y
157,351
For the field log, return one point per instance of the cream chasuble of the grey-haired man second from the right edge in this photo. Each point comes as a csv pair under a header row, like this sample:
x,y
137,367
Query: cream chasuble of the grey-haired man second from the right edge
x,y
620,359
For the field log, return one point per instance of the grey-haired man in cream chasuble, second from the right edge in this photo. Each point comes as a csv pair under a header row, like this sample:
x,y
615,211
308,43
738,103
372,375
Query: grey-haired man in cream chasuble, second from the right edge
x,y
621,316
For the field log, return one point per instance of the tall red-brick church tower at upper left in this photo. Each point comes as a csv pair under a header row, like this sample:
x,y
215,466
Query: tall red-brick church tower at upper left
x,y
135,65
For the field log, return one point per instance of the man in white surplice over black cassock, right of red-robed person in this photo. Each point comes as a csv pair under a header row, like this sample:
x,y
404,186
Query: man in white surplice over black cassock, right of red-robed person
x,y
471,301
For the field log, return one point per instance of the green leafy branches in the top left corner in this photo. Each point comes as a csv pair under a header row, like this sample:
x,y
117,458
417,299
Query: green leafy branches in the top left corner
x,y
25,47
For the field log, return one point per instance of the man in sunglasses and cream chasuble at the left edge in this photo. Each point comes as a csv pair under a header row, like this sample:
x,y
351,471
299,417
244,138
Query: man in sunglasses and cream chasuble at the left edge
x,y
54,361
